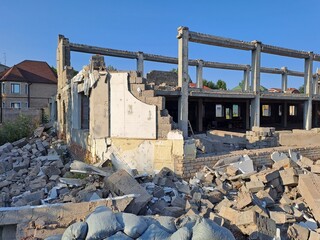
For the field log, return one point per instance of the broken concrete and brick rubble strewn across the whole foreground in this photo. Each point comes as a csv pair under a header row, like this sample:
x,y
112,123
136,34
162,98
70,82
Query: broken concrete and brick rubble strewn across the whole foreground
x,y
278,201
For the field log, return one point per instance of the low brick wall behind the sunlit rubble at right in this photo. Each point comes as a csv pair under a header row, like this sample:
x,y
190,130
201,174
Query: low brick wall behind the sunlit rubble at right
x,y
187,169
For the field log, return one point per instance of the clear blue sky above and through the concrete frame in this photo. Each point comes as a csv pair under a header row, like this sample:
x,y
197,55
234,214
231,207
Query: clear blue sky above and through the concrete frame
x,y
30,31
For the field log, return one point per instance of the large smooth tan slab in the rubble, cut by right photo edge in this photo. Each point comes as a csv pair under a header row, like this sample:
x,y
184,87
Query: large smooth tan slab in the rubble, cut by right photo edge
x,y
309,189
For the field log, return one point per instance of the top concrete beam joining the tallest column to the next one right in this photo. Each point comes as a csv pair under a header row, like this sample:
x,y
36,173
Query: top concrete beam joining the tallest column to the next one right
x,y
220,41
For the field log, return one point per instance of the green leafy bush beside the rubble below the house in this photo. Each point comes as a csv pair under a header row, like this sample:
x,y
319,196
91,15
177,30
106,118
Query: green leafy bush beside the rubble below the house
x,y
12,131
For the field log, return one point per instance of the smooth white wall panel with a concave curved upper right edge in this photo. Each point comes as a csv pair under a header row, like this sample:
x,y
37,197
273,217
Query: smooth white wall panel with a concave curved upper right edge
x,y
130,118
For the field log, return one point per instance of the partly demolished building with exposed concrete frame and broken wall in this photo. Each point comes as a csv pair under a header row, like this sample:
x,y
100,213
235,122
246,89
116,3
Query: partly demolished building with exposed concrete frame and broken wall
x,y
132,117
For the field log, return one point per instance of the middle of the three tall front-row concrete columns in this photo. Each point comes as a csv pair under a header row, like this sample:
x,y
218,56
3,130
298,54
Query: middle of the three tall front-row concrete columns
x,y
255,85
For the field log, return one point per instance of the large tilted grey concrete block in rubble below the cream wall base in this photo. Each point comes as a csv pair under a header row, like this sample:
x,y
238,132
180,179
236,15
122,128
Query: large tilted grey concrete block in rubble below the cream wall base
x,y
121,183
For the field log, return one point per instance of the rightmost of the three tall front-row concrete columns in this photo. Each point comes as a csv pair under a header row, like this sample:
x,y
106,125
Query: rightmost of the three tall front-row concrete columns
x,y
307,118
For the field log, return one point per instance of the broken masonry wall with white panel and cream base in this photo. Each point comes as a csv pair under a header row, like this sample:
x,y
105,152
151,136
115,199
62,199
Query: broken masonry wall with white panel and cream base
x,y
98,109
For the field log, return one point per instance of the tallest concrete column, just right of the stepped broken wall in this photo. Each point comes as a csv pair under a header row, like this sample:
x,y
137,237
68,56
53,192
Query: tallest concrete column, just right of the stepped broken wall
x,y
183,79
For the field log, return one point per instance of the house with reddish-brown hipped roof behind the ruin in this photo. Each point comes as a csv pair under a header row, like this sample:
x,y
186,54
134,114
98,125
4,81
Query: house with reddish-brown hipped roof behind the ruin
x,y
29,84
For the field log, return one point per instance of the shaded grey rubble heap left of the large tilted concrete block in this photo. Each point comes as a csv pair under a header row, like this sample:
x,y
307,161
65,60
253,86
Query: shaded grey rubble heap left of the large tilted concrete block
x,y
36,171
